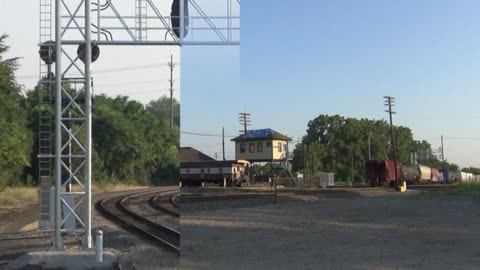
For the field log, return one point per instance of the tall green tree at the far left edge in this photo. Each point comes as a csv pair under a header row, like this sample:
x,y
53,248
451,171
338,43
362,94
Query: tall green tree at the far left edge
x,y
15,139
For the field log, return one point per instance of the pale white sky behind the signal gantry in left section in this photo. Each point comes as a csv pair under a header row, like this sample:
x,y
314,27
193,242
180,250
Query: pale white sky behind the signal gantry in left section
x,y
140,72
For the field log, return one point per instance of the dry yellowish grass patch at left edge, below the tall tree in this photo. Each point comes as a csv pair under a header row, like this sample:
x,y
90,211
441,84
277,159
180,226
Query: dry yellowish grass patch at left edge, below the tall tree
x,y
18,197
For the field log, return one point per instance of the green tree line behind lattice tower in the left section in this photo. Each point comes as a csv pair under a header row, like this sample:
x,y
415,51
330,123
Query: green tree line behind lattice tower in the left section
x,y
132,142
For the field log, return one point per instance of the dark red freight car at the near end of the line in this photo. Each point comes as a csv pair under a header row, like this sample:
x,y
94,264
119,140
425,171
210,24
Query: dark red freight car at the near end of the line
x,y
382,172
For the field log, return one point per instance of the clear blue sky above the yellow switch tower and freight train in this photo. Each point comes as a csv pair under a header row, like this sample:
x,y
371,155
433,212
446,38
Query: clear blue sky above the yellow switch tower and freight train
x,y
300,59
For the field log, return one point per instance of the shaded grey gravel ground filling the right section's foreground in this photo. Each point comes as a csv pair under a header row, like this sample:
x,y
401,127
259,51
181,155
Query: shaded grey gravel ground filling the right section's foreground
x,y
336,229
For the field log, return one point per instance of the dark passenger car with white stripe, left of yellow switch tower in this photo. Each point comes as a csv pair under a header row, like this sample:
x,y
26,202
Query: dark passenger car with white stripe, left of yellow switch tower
x,y
198,172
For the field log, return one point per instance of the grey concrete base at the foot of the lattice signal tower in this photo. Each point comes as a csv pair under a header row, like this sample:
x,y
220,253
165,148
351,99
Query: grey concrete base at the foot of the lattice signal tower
x,y
68,260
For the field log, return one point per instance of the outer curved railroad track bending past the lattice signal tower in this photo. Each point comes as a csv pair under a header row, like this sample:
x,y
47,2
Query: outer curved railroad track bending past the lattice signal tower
x,y
115,208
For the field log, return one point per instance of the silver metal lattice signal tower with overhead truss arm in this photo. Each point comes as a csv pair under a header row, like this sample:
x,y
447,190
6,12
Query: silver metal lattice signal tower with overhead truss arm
x,y
82,25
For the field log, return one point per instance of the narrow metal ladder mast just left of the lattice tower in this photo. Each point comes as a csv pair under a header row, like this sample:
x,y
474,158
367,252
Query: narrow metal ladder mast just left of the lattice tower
x,y
45,120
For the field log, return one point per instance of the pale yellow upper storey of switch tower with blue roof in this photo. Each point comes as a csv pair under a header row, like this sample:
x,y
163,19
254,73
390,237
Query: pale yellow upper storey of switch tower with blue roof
x,y
261,145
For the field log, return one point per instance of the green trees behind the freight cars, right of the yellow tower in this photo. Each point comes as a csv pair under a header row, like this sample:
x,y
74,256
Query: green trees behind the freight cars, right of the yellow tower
x,y
342,145
